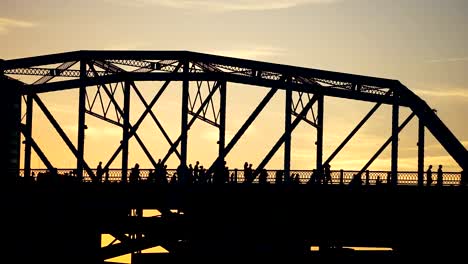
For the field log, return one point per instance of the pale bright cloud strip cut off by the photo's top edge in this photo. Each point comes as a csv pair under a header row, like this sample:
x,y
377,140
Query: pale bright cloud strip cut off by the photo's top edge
x,y
231,5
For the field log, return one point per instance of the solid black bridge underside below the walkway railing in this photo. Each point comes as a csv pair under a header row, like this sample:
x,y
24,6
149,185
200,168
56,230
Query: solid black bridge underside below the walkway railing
x,y
234,222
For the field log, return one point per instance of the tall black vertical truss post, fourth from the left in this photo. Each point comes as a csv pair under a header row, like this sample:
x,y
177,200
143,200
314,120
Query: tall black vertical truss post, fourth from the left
x,y
184,117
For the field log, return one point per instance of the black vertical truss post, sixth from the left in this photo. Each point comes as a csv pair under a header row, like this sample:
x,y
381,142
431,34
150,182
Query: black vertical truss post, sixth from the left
x,y
287,133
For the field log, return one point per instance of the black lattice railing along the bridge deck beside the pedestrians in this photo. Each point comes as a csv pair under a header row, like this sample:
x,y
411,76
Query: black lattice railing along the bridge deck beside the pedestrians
x,y
303,176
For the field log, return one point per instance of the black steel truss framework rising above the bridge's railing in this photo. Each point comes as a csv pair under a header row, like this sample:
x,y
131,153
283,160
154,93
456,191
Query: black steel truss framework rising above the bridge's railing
x,y
112,70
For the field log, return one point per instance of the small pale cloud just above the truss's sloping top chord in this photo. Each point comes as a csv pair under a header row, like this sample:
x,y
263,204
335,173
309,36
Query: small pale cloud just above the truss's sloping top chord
x,y
250,53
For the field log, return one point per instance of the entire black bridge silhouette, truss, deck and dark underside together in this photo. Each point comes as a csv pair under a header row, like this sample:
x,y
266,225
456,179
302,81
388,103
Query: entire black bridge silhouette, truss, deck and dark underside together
x,y
223,219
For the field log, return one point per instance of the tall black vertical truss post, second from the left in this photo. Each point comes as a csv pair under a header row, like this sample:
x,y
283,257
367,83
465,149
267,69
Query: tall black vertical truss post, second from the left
x,y
81,121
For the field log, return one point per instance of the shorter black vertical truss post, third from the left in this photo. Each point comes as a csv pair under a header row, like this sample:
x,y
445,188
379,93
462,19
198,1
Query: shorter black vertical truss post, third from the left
x,y
126,130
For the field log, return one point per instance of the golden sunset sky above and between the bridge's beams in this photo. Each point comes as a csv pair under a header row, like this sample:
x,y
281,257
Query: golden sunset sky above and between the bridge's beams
x,y
422,43
